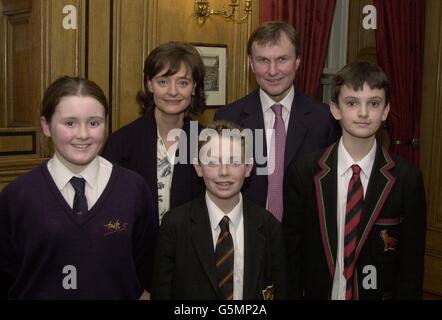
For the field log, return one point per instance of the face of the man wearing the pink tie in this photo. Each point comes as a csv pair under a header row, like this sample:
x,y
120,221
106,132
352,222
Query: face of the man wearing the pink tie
x,y
274,66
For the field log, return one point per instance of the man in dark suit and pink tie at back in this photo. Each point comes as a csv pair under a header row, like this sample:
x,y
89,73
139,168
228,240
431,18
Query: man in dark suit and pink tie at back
x,y
274,51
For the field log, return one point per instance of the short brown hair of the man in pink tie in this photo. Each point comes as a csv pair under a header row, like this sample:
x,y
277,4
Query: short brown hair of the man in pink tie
x,y
270,33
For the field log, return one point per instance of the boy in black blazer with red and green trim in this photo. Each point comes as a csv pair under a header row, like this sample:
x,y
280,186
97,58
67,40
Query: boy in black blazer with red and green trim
x,y
354,214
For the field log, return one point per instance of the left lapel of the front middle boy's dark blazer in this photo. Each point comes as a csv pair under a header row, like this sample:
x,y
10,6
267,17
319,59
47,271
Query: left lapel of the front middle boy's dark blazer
x,y
202,239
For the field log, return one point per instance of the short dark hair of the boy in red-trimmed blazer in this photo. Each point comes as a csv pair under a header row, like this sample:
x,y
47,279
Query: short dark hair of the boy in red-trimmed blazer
x,y
356,74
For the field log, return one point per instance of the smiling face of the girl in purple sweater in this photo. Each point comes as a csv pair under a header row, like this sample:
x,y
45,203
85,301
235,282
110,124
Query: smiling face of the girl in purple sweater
x,y
77,129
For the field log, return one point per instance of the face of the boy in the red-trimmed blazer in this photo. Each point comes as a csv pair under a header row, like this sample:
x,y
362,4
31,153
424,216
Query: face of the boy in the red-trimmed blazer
x,y
360,112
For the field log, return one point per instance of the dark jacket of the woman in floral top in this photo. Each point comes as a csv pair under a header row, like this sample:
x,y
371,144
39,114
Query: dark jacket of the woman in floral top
x,y
134,146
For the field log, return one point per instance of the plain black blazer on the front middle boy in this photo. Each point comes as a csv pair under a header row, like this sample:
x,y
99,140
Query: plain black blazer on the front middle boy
x,y
185,260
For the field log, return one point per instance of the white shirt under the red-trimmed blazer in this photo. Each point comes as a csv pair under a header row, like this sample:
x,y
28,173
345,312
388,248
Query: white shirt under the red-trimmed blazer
x,y
345,173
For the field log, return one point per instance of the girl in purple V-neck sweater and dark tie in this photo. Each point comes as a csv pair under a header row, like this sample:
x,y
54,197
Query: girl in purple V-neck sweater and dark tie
x,y
77,226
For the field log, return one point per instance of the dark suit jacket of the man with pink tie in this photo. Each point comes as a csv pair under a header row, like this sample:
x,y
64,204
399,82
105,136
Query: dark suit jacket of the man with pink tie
x,y
311,128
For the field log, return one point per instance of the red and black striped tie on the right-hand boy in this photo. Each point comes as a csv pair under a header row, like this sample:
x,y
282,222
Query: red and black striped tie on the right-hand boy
x,y
353,213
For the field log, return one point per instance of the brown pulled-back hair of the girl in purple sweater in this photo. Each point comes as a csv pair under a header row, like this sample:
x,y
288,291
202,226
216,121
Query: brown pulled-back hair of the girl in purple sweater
x,y
70,86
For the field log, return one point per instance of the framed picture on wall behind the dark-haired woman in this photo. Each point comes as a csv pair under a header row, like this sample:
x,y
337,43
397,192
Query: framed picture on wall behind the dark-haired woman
x,y
215,83
